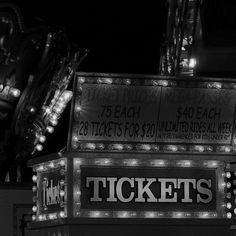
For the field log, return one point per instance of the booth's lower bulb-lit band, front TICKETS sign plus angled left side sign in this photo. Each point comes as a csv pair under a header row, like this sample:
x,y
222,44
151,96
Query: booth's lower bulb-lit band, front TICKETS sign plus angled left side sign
x,y
111,187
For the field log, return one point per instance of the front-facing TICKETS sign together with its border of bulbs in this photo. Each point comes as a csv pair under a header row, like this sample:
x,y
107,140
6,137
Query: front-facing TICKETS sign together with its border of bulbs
x,y
158,188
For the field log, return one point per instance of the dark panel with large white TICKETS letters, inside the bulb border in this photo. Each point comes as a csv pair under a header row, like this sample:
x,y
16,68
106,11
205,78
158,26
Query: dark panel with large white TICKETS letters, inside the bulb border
x,y
145,188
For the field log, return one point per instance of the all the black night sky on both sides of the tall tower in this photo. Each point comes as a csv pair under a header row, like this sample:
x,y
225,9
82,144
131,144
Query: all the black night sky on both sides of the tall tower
x,y
126,37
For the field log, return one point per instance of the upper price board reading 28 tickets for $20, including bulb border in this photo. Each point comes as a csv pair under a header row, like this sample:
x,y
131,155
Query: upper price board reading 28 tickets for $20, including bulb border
x,y
152,113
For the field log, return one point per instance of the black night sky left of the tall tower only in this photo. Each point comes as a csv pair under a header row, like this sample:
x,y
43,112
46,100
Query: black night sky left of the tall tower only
x,y
123,38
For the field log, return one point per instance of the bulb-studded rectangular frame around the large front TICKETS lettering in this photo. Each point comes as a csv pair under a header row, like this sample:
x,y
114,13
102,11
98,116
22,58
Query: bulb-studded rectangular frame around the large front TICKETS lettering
x,y
218,166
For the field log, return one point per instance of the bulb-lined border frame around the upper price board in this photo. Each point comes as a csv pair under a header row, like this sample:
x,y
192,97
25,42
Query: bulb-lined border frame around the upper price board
x,y
150,147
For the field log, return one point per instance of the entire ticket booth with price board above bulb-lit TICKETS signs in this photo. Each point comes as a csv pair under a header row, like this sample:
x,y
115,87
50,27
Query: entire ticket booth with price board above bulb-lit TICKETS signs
x,y
145,155
